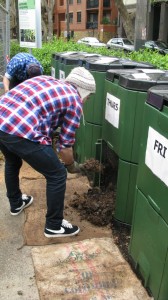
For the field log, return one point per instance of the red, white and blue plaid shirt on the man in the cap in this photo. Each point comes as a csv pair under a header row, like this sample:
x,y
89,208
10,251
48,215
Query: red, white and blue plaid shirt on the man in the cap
x,y
36,107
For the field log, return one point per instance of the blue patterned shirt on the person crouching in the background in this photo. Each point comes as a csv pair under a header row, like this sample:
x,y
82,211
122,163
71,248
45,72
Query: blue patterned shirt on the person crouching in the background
x,y
16,67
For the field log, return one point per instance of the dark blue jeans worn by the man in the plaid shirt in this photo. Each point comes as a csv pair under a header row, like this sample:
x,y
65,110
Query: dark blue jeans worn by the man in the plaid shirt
x,y
43,159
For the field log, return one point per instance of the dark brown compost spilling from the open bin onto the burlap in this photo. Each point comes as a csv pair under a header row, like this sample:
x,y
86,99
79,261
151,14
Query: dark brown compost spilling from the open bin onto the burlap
x,y
98,204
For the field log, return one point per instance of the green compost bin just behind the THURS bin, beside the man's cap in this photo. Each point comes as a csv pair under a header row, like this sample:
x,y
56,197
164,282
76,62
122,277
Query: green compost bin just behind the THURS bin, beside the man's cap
x,y
93,108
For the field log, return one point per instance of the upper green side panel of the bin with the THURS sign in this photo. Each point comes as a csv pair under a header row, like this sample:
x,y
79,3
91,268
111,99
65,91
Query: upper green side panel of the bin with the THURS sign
x,y
118,124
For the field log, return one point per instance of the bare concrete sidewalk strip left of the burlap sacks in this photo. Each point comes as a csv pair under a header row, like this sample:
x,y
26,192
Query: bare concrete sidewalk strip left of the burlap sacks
x,y
17,278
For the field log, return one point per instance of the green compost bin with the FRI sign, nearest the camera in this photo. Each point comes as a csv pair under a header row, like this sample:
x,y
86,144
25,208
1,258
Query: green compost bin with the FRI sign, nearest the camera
x,y
149,237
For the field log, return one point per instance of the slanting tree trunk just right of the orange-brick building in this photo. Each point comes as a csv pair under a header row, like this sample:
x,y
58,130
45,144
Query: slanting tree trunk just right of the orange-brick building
x,y
126,19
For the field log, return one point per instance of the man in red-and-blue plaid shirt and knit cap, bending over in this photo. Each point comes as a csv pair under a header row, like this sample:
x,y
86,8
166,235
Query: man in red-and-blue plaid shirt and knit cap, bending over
x,y
29,114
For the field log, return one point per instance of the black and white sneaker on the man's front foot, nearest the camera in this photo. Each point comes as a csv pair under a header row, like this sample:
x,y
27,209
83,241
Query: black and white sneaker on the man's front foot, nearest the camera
x,y
66,229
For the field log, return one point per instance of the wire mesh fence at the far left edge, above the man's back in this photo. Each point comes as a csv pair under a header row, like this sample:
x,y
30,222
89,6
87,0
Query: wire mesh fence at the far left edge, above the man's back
x,y
4,40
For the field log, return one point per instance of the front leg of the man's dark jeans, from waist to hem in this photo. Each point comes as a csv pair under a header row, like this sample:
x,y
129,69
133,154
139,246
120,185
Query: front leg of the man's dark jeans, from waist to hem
x,y
44,160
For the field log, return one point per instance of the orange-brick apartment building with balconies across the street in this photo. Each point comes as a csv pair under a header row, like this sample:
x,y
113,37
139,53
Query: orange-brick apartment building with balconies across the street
x,y
79,18
